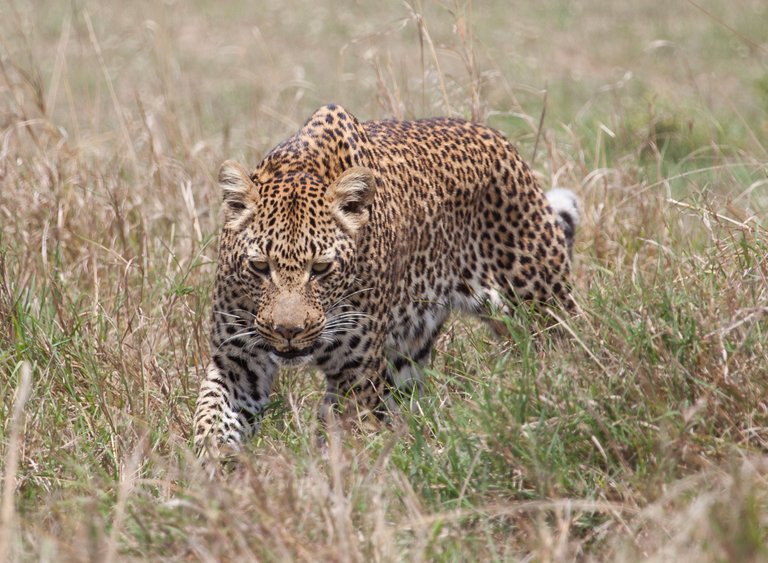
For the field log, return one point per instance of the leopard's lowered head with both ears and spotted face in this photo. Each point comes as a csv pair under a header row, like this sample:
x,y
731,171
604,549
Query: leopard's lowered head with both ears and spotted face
x,y
289,246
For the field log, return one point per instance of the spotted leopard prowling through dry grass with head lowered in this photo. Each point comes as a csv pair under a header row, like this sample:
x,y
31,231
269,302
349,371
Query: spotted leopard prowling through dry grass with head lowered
x,y
349,245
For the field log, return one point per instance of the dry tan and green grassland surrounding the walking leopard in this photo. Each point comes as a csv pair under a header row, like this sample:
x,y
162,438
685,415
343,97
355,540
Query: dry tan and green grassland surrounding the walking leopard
x,y
639,432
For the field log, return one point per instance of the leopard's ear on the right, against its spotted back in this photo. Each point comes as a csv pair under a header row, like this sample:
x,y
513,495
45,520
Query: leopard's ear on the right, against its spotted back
x,y
351,196
